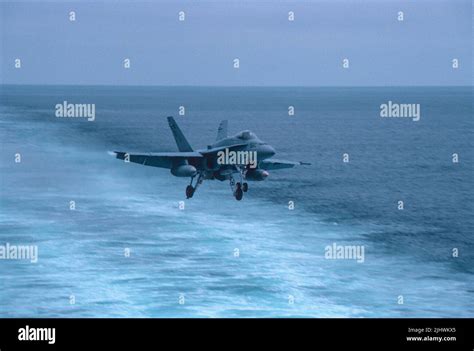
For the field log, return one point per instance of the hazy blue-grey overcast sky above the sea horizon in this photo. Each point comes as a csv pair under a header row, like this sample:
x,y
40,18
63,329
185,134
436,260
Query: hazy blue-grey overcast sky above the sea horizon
x,y
272,50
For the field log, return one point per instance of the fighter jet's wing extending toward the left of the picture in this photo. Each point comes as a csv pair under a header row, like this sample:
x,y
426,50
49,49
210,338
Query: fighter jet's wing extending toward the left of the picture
x,y
158,159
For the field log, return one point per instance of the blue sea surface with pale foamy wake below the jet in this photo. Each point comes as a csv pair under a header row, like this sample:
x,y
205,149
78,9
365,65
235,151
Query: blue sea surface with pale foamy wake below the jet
x,y
223,258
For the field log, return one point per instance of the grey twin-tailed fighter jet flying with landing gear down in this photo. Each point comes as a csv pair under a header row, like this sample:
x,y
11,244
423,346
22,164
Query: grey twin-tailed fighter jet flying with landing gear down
x,y
243,156
